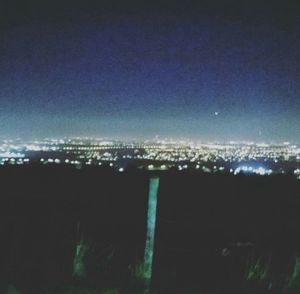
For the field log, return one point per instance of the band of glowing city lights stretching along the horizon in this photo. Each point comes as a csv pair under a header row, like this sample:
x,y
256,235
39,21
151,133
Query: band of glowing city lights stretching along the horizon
x,y
159,154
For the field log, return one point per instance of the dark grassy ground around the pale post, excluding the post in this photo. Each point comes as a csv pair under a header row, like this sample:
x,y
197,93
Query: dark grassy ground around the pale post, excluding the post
x,y
215,233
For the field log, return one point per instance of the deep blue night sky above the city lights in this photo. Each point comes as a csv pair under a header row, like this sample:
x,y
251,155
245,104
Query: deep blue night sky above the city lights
x,y
204,70
